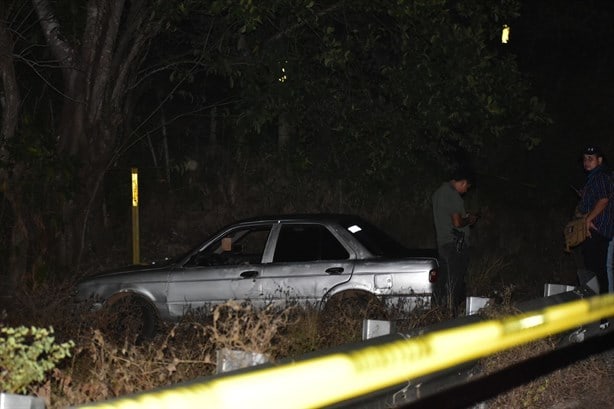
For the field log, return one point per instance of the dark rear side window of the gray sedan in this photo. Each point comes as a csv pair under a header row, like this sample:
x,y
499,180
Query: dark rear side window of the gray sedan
x,y
308,242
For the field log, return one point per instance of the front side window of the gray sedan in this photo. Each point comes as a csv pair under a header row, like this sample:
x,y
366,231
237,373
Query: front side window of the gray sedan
x,y
241,246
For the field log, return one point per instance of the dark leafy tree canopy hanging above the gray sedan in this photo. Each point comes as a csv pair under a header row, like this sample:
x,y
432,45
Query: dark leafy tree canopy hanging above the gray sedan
x,y
366,90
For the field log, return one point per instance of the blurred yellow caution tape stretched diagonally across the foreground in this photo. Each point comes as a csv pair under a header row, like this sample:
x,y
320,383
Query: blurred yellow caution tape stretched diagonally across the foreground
x,y
339,376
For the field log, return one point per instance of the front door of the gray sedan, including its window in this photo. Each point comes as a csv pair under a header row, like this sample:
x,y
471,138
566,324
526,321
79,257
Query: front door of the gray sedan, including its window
x,y
228,268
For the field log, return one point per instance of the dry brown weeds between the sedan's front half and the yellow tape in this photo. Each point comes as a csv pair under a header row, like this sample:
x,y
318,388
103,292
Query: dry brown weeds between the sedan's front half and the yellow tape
x,y
103,367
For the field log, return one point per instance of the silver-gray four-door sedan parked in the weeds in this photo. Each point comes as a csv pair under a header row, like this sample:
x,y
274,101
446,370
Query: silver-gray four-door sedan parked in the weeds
x,y
318,258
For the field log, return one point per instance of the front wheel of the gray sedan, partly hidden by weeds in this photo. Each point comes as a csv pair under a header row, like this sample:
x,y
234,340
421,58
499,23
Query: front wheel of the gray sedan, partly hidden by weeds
x,y
129,318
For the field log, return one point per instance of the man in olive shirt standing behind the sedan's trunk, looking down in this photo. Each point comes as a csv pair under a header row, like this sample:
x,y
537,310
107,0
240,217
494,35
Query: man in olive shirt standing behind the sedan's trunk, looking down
x,y
452,224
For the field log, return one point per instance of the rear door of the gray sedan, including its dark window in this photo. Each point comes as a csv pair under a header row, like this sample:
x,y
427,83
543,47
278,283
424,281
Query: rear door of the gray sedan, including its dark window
x,y
307,261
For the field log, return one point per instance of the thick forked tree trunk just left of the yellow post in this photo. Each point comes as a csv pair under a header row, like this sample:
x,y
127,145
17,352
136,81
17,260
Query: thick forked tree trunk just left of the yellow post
x,y
97,77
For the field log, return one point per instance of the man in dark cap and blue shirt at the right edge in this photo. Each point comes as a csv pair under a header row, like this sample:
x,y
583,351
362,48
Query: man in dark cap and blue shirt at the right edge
x,y
597,203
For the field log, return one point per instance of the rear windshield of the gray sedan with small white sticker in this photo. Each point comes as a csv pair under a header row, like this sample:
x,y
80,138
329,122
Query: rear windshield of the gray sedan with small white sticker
x,y
374,239
